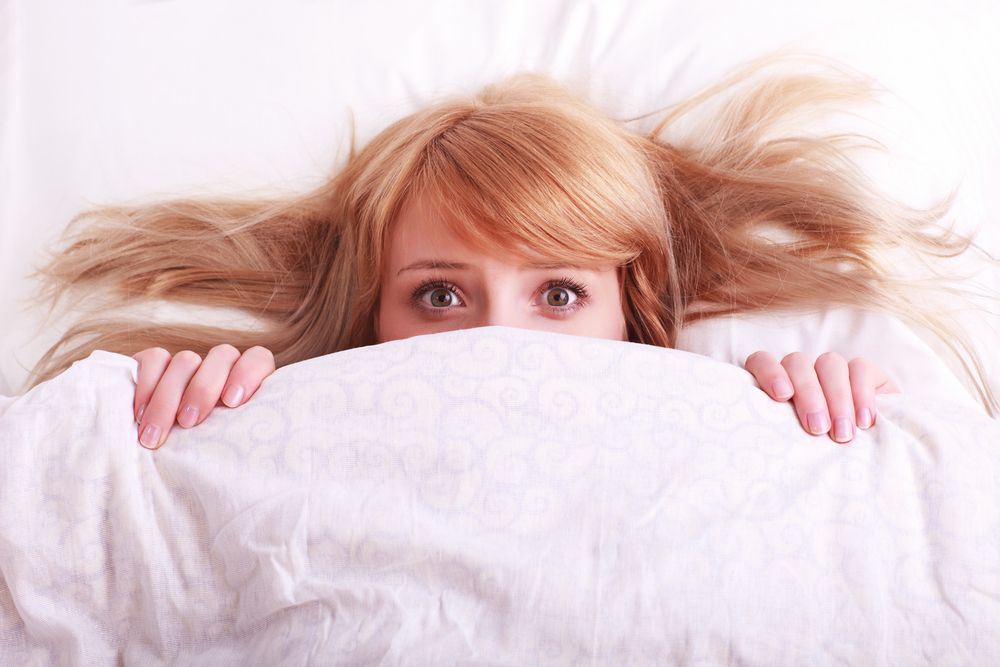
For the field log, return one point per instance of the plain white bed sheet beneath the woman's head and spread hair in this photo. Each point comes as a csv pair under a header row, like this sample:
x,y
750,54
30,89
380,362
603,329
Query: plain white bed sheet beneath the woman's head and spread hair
x,y
111,101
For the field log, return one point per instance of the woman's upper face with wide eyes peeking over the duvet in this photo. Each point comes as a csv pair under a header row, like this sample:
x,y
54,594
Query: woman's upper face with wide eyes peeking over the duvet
x,y
434,282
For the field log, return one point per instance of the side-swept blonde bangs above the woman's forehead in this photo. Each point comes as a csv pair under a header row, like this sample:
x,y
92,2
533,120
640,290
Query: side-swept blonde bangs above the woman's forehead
x,y
537,186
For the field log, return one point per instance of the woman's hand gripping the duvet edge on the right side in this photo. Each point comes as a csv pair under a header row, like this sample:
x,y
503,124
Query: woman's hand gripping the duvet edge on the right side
x,y
831,387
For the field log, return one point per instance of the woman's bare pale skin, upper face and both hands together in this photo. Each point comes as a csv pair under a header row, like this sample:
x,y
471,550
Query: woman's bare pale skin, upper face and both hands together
x,y
434,282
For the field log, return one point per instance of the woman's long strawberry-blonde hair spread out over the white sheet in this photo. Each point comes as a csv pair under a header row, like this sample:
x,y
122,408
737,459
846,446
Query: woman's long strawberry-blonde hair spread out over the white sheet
x,y
745,214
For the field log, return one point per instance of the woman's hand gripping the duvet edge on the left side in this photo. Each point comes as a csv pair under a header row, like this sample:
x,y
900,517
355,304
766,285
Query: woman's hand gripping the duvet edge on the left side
x,y
186,389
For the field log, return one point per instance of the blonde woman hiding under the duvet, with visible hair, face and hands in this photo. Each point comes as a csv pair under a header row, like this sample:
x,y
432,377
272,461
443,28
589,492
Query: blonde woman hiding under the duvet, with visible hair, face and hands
x,y
523,206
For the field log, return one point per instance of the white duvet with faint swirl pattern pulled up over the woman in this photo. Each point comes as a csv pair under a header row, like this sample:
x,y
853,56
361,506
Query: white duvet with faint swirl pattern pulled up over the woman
x,y
495,496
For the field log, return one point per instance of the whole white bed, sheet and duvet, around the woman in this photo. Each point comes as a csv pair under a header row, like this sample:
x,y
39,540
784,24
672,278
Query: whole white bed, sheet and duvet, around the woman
x,y
376,507
